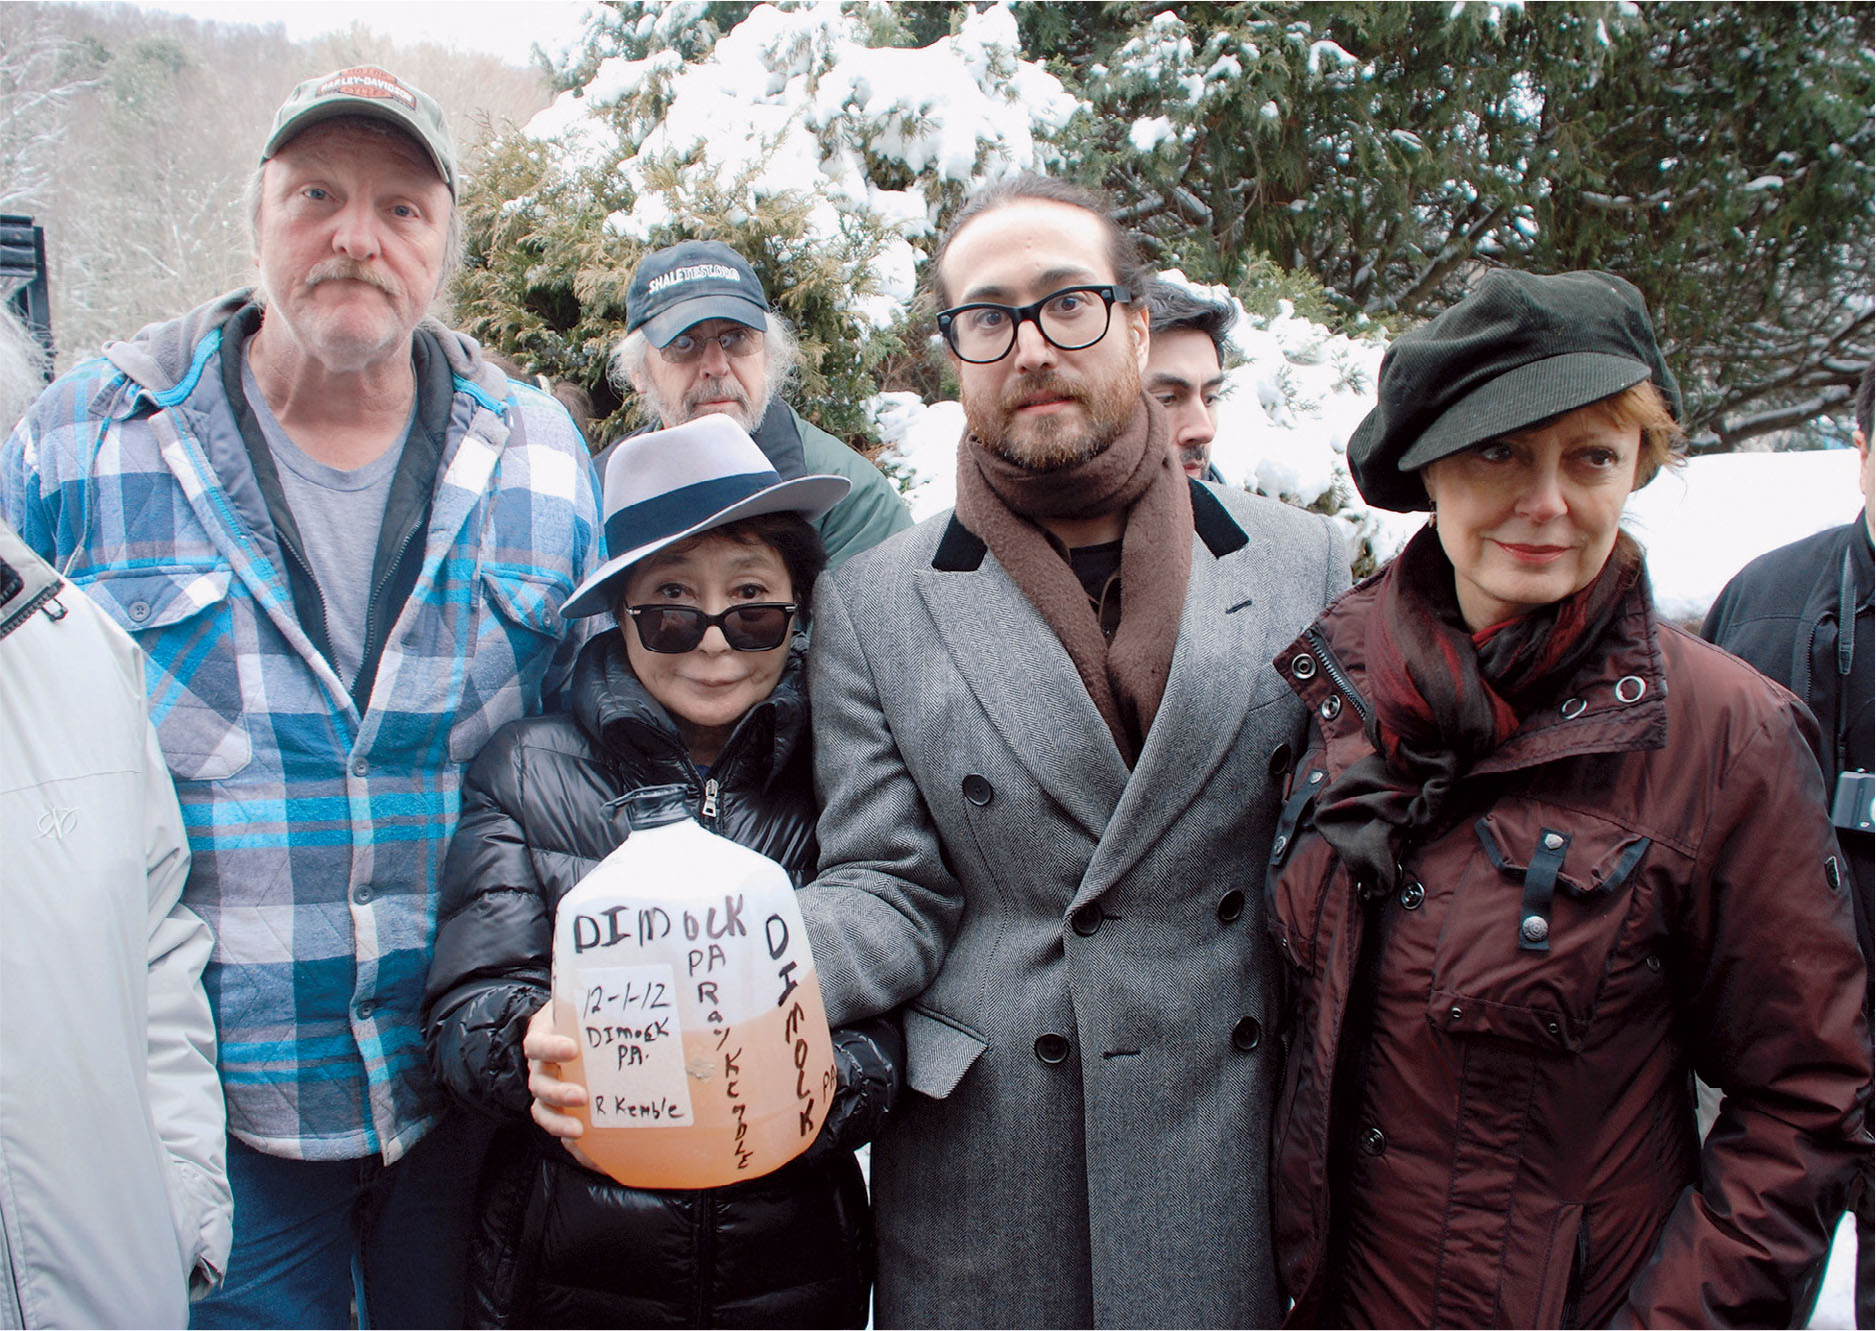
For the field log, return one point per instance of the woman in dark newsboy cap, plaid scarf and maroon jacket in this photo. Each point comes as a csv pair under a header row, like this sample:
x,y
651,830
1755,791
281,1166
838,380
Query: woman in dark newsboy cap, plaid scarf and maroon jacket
x,y
1543,863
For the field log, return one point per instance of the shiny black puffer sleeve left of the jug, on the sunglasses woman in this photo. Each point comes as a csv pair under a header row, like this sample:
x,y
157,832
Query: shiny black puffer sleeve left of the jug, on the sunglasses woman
x,y
494,947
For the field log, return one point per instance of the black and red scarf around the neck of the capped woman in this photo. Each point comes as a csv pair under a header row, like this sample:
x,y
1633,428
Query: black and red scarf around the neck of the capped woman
x,y
1445,697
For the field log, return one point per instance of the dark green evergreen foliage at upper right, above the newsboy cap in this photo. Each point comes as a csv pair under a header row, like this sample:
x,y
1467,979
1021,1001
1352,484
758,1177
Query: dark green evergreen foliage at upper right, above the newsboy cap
x,y
1716,155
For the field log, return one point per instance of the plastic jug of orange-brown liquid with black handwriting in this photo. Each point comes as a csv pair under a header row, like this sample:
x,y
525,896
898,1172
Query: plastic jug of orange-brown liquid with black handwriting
x,y
682,970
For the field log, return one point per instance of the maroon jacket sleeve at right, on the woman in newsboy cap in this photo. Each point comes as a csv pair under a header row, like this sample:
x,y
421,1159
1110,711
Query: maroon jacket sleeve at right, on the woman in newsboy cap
x,y
1776,1007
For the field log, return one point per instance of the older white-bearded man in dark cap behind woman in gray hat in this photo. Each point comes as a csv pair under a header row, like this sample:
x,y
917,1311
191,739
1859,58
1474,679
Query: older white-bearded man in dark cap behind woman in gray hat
x,y
701,337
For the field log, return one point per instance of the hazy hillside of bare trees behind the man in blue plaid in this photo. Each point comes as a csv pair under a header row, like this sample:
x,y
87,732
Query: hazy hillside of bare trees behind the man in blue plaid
x,y
132,136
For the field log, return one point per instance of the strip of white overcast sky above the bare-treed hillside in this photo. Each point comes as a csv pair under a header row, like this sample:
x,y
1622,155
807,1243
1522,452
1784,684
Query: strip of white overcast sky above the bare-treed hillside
x,y
504,29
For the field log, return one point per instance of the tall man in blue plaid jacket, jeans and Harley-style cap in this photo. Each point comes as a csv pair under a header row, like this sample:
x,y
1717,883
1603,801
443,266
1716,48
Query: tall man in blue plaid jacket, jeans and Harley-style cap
x,y
342,540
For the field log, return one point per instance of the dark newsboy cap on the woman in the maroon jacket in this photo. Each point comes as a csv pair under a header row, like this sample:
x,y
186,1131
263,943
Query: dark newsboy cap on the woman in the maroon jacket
x,y
1515,352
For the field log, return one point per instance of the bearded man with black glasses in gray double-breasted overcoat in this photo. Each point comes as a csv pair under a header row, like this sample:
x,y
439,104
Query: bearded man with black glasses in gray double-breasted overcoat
x,y
1048,748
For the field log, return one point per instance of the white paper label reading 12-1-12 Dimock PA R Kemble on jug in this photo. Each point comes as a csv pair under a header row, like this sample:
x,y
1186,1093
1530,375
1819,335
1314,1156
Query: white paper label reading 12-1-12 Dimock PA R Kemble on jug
x,y
633,1048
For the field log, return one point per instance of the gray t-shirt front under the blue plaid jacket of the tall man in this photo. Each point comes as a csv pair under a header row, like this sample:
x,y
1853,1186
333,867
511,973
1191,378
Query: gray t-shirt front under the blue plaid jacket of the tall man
x,y
339,515
